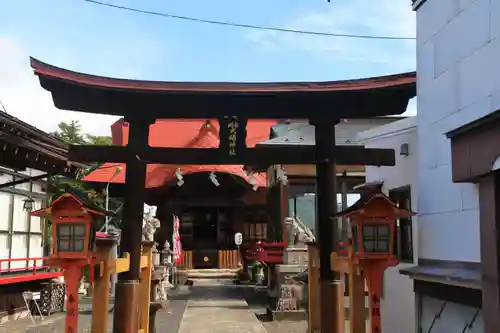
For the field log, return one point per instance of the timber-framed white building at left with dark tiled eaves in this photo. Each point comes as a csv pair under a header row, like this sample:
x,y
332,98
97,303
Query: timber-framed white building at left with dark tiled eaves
x,y
27,157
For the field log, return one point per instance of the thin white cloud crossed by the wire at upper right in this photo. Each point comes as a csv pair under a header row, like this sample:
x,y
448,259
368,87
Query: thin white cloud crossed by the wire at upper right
x,y
383,18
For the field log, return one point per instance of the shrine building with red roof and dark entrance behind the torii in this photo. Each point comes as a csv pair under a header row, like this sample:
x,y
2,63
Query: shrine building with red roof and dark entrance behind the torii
x,y
253,203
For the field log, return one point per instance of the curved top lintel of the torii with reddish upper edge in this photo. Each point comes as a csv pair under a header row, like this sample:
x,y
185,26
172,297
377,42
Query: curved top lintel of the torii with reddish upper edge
x,y
356,98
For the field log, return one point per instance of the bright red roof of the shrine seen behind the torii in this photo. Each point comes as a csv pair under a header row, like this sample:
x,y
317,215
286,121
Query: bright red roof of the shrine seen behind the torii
x,y
181,133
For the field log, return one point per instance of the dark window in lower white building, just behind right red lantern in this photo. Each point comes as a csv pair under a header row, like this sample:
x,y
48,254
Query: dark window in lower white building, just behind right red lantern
x,y
403,237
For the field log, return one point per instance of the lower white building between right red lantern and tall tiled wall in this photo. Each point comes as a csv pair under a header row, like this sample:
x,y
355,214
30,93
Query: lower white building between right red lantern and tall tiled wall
x,y
398,303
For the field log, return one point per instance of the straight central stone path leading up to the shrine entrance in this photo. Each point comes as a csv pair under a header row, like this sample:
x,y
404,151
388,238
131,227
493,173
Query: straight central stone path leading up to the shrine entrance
x,y
214,308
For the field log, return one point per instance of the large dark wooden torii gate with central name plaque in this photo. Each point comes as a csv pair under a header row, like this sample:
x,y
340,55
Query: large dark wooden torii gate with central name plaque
x,y
232,104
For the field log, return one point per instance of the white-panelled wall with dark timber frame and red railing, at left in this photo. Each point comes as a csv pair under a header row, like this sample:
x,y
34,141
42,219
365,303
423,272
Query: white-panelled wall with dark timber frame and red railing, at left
x,y
21,237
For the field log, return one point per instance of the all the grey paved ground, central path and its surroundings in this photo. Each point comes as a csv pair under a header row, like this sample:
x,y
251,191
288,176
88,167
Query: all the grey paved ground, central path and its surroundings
x,y
212,306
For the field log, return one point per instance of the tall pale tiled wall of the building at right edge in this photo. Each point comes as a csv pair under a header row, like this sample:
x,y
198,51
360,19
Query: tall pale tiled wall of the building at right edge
x,y
458,66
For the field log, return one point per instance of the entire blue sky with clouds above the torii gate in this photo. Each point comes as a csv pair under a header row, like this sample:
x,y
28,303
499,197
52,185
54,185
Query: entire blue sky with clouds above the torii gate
x,y
105,41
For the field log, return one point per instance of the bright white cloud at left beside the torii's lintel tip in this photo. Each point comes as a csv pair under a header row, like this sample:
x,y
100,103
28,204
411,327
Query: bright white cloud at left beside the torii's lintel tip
x,y
24,98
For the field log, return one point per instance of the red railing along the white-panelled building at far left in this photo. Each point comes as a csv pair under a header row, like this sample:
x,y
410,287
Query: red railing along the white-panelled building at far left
x,y
31,271
